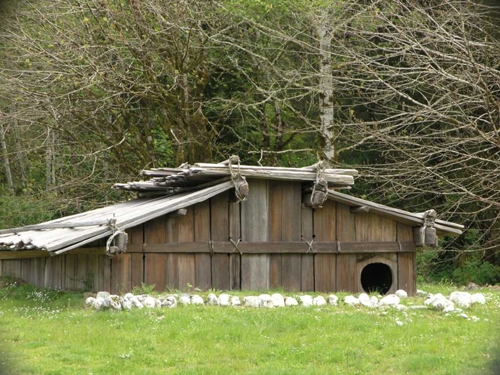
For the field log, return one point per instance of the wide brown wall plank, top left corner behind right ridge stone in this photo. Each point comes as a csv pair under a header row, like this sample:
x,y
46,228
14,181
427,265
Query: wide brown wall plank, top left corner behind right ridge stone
x,y
325,231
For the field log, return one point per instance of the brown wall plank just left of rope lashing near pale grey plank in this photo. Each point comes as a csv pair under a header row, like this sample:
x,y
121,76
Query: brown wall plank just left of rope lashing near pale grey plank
x,y
219,216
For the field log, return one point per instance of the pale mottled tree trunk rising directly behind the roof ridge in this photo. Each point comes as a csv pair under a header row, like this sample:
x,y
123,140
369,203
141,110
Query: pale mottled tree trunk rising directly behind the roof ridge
x,y
326,86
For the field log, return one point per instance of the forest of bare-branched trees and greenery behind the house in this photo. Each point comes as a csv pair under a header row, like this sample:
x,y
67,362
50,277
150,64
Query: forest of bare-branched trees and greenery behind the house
x,y
93,91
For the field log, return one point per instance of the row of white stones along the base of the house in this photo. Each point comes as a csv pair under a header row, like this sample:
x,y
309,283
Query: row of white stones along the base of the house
x,y
104,301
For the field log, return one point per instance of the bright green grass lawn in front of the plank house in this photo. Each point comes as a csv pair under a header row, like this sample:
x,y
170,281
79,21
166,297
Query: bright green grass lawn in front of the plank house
x,y
49,332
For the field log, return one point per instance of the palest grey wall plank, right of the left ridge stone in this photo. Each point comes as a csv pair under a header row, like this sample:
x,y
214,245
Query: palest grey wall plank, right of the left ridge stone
x,y
255,228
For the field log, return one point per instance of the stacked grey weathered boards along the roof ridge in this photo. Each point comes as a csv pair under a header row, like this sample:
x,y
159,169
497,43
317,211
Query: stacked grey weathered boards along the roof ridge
x,y
174,180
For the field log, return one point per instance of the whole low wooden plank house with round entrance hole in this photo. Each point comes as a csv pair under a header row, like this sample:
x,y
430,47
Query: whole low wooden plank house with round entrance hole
x,y
229,227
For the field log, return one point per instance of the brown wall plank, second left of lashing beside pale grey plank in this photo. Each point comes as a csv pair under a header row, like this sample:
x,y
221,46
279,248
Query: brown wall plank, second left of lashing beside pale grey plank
x,y
203,267
